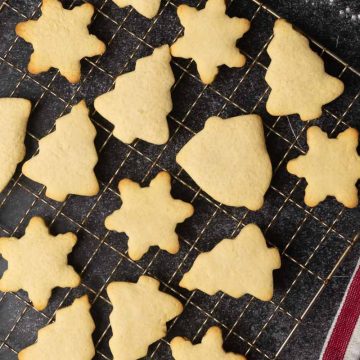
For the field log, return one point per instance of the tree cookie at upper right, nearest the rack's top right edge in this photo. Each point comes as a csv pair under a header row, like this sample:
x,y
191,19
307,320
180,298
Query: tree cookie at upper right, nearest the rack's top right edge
x,y
296,75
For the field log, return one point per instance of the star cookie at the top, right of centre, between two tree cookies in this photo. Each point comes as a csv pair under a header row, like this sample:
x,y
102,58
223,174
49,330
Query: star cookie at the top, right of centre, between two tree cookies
x,y
210,38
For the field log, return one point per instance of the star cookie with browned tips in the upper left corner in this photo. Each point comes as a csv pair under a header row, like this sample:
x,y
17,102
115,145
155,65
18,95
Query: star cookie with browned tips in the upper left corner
x,y
60,39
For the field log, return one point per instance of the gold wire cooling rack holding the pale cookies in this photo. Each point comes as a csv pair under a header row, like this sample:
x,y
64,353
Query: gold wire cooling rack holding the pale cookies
x,y
313,242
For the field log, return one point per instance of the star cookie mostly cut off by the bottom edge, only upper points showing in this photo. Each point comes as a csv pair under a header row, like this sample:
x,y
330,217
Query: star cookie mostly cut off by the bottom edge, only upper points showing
x,y
210,348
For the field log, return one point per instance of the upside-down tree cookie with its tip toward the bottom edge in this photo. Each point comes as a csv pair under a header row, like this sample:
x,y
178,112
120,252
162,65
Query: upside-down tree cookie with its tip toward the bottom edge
x,y
139,316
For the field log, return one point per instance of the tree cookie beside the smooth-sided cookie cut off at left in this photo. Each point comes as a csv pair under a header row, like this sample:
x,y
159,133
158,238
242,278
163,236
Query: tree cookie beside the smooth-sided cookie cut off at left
x,y
67,157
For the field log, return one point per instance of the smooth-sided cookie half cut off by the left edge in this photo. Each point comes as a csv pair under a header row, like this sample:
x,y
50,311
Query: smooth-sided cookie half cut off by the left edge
x,y
14,114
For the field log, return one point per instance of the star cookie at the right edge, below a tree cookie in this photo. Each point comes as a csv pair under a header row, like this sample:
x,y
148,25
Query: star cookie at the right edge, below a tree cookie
x,y
331,167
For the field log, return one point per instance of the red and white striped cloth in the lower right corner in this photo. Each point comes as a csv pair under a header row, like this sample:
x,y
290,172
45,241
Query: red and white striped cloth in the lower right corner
x,y
343,339
